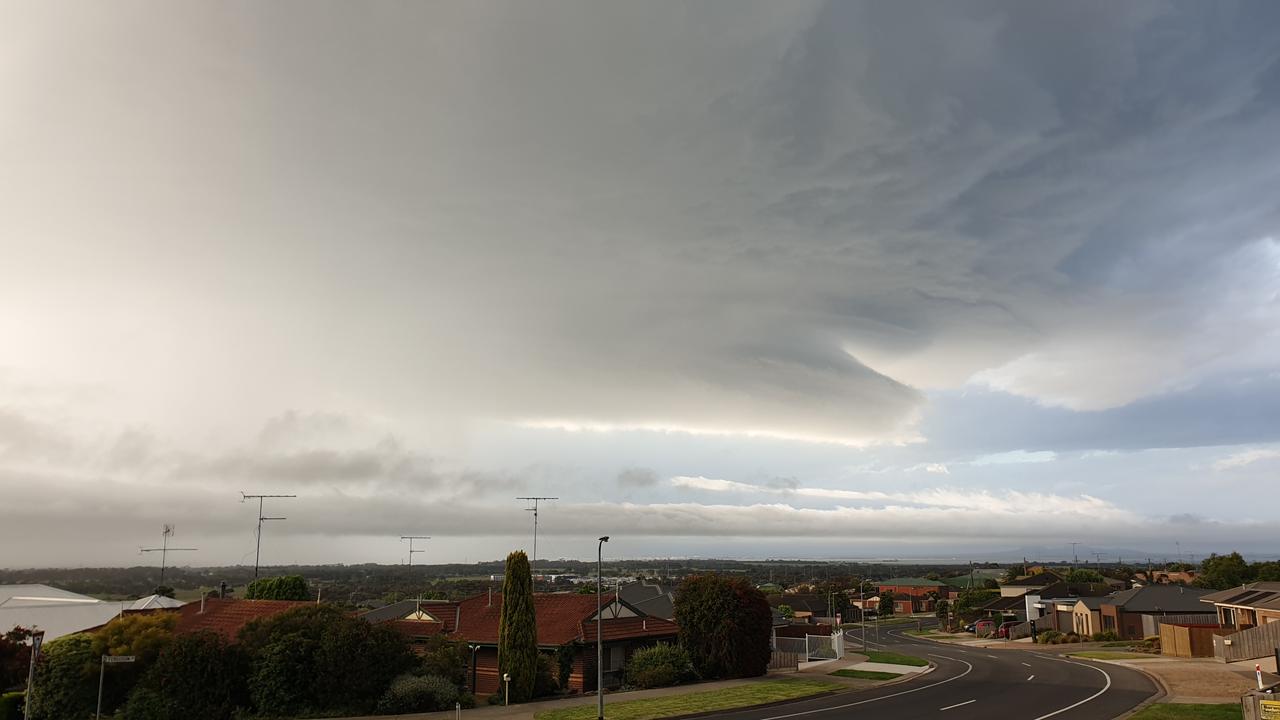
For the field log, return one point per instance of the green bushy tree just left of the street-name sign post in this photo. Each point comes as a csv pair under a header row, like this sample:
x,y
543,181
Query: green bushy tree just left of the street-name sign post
x,y
66,682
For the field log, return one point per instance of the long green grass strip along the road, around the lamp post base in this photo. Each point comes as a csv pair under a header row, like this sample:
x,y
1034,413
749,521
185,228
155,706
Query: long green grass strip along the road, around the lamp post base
x,y
707,701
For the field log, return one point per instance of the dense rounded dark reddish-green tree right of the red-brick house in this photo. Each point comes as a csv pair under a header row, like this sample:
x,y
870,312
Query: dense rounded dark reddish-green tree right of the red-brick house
x,y
725,626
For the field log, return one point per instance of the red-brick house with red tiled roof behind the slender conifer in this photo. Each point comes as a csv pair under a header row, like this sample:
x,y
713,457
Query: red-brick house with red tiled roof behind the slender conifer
x,y
565,622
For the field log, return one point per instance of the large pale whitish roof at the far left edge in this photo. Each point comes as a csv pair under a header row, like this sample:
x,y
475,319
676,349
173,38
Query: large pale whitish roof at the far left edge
x,y
56,612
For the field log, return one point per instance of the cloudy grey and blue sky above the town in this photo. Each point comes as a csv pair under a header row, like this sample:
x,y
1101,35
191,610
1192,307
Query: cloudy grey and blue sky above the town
x,y
728,279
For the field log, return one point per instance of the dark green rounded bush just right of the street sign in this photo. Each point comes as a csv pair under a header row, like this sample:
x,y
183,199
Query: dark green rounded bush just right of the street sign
x,y
198,676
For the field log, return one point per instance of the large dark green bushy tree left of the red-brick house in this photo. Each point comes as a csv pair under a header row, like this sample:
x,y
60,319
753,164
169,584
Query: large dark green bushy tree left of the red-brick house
x,y
318,659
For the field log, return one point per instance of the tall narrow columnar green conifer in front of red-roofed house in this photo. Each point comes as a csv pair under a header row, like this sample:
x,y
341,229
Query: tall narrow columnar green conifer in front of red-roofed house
x,y
518,628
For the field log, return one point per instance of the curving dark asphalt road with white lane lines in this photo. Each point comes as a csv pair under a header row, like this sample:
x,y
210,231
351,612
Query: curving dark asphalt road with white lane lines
x,y
977,685
